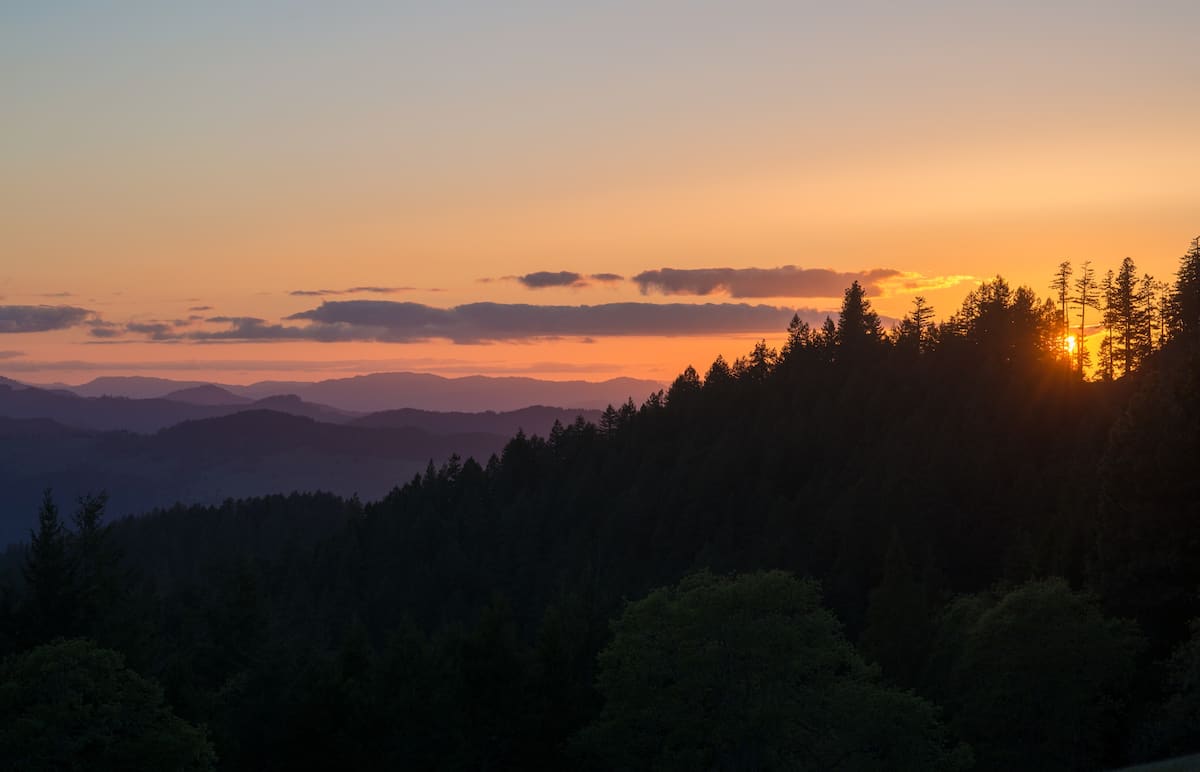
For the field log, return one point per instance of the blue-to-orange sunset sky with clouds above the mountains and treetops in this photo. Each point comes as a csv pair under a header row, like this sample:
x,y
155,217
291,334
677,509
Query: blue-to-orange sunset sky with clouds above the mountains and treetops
x,y
561,190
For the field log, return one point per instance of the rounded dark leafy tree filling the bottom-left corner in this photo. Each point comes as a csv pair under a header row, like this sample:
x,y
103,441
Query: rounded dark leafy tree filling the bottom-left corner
x,y
74,707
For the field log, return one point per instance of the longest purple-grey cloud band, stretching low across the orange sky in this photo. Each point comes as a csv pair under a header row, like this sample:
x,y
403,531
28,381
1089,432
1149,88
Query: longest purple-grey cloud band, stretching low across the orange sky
x,y
489,322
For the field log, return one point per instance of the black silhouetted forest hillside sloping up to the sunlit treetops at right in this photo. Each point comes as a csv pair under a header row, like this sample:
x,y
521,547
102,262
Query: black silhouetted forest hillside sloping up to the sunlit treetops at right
x,y
934,548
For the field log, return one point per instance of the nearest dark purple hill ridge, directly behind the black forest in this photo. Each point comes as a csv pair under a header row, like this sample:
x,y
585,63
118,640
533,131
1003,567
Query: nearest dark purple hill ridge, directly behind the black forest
x,y
202,462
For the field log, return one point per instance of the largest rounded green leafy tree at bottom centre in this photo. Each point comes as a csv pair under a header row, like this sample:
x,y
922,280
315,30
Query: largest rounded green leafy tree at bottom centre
x,y
751,673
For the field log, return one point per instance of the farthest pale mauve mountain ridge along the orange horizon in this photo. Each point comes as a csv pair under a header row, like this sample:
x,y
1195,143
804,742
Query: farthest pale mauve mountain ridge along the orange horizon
x,y
394,391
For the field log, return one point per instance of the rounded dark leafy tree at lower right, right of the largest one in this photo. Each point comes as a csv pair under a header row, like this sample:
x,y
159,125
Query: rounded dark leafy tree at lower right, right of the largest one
x,y
1037,677
